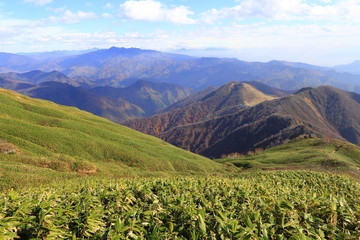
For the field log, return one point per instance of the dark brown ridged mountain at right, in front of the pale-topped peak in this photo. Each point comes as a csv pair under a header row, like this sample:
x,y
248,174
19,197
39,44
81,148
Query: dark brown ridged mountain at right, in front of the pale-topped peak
x,y
323,112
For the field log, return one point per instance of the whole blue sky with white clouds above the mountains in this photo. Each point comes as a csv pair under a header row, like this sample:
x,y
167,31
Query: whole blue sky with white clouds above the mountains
x,y
321,32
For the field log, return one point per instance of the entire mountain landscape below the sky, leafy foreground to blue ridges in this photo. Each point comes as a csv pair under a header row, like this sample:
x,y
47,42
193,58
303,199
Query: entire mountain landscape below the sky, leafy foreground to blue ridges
x,y
126,143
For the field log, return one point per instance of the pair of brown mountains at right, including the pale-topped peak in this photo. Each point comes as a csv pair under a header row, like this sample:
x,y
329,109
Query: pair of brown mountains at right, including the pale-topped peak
x,y
238,117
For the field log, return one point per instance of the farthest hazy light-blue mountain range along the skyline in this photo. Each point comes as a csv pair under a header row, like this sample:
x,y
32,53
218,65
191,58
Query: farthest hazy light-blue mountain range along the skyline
x,y
118,67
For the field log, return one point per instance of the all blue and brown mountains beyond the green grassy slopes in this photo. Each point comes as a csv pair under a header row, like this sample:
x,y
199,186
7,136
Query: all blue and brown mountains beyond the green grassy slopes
x,y
222,117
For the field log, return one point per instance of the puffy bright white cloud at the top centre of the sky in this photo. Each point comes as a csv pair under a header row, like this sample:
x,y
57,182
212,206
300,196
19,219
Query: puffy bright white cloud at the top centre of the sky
x,y
150,10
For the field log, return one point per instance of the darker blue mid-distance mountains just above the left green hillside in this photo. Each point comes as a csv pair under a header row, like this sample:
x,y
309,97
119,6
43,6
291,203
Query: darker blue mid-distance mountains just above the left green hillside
x,y
116,104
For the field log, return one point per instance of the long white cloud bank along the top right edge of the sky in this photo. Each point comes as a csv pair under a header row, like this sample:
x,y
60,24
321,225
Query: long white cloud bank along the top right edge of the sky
x,y
287,10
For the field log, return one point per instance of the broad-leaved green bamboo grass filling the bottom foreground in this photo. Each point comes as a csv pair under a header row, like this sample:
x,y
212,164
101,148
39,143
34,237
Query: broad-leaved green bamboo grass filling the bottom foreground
x,y
279,205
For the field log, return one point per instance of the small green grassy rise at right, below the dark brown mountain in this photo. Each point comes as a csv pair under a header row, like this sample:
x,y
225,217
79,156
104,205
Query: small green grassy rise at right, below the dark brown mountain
x,y
304,153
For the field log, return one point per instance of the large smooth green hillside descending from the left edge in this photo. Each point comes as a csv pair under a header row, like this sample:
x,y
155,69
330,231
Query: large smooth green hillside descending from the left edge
x,y
43,140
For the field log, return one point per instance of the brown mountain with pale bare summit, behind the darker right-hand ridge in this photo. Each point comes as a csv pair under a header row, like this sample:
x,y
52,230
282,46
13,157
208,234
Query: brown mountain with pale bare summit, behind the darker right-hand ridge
x,y
227,99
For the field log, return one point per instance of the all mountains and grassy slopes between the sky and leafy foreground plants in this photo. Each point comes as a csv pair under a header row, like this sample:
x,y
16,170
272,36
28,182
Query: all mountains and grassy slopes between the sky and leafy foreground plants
x,y
215,107
